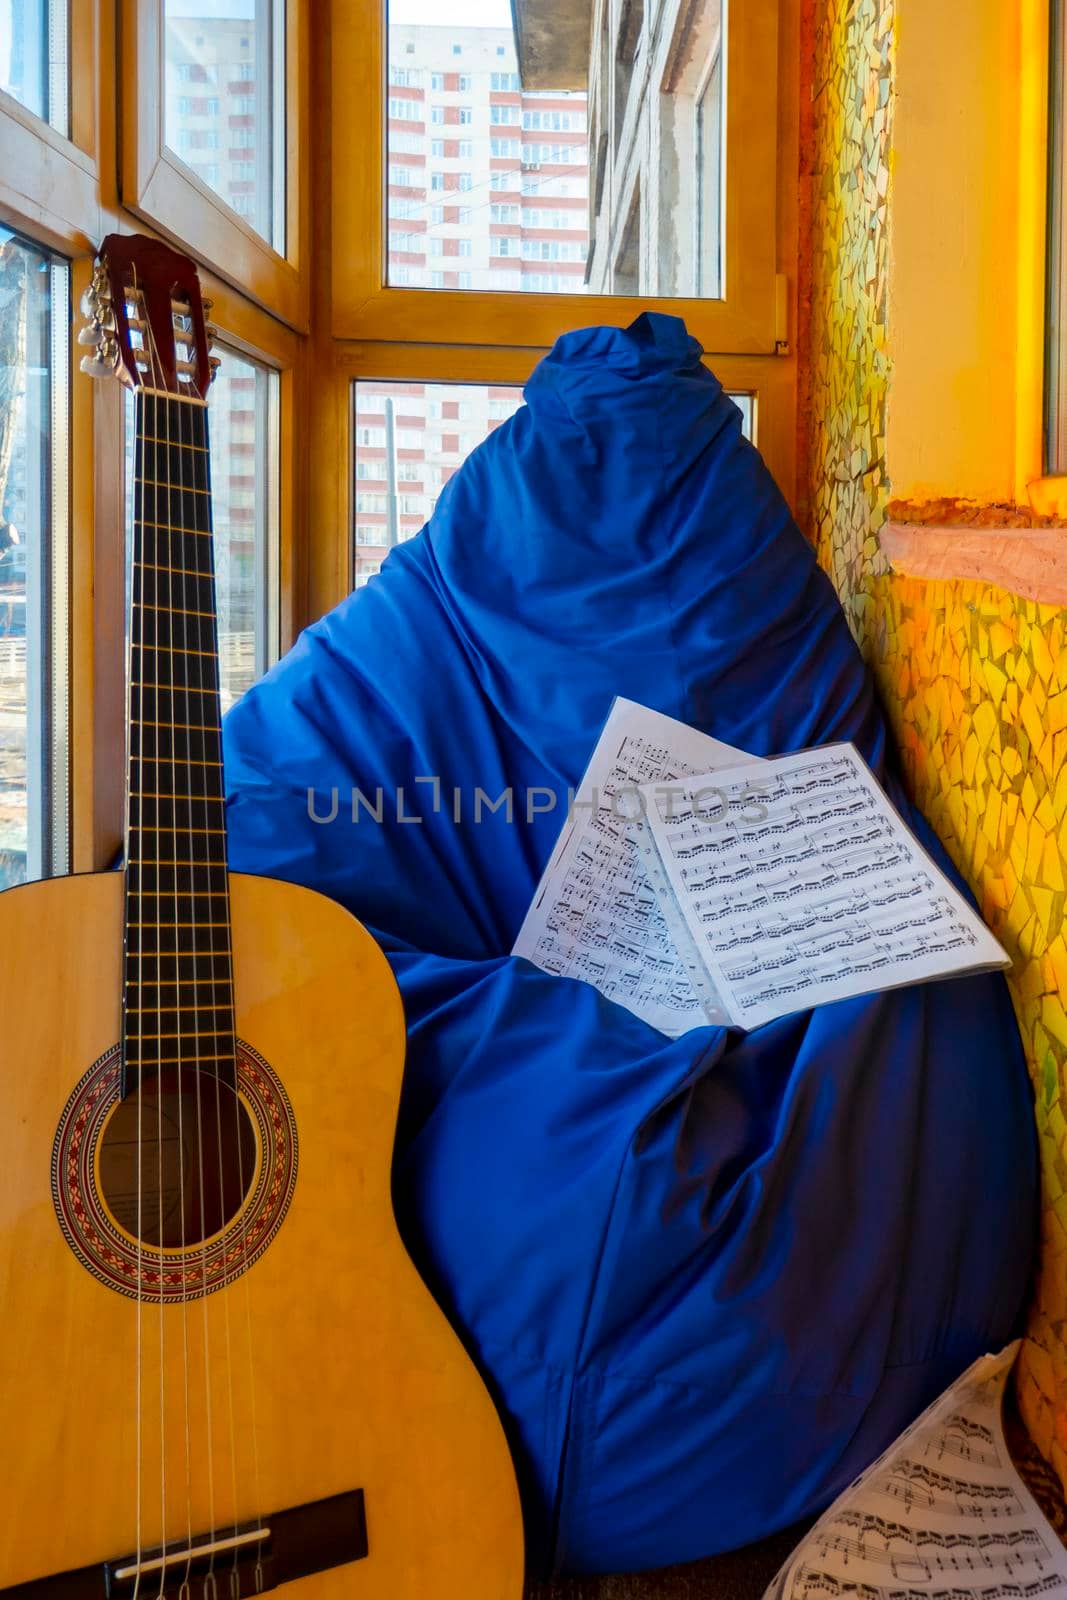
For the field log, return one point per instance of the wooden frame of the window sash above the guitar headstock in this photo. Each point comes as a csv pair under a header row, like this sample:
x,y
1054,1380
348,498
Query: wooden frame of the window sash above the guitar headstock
x,y
162,190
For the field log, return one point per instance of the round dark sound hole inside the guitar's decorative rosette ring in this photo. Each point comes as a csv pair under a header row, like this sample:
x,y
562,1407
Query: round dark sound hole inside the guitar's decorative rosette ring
x,y
191,1145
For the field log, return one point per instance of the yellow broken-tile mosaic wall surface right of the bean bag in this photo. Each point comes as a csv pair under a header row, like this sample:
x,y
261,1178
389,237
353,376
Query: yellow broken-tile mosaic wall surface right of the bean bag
x,y
975,679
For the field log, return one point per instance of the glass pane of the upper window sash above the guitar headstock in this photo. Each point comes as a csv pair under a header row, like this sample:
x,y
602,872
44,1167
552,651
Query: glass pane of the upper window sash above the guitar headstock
x,y
225,106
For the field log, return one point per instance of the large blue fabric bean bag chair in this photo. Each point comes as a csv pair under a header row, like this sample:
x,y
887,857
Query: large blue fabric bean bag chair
x,y
708,1281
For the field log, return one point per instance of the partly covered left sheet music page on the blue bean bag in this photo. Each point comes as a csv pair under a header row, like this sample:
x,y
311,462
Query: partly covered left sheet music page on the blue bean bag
x,y
596,914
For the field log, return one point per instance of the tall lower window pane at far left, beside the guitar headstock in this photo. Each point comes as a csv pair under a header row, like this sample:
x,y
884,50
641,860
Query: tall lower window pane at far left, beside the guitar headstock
x,y
34,356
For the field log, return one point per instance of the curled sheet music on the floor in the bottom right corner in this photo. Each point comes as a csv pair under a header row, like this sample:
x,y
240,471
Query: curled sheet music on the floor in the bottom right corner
x,y
941,1514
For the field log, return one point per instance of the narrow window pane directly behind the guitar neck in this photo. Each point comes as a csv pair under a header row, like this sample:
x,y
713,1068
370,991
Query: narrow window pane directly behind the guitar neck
x,y
244,422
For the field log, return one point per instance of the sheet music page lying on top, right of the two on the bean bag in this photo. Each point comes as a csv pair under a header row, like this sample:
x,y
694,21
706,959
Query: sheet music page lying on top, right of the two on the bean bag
x,y
801,886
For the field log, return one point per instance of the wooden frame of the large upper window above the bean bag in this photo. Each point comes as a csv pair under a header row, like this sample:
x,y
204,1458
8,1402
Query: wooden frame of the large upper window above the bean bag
x,y
746,322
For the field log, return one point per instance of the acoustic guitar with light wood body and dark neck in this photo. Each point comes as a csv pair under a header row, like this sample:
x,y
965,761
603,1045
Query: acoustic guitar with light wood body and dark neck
x,y
220,1372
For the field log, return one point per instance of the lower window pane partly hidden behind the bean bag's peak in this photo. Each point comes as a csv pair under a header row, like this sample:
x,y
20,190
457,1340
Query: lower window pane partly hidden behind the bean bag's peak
x,y
410,439
